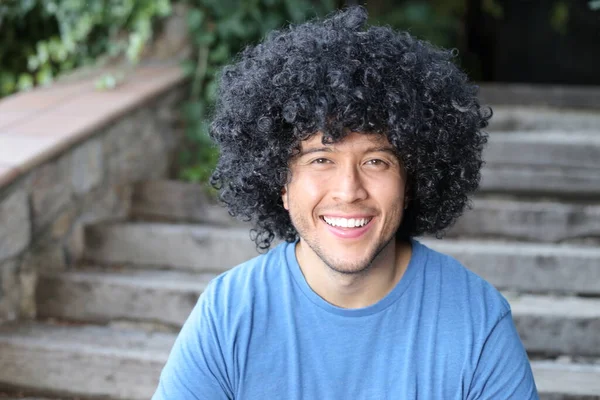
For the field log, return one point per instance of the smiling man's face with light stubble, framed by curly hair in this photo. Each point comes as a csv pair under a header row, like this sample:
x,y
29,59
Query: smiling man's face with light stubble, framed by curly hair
x,y
346,199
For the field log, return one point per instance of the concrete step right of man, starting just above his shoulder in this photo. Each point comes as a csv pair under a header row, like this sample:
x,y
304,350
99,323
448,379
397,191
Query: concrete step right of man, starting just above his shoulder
x,y
528,267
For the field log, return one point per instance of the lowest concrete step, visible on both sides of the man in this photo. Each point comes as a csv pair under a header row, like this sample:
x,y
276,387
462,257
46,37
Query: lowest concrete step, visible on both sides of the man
x,y
122,364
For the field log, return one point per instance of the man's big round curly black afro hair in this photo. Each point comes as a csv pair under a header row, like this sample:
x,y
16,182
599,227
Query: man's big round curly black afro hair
x,y
334,76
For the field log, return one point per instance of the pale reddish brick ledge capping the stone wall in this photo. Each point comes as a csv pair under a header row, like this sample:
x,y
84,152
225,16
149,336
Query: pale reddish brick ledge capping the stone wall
x,y
38,125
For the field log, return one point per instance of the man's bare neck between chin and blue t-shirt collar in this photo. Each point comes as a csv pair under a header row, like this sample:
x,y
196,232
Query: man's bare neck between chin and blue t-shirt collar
x,y
360,289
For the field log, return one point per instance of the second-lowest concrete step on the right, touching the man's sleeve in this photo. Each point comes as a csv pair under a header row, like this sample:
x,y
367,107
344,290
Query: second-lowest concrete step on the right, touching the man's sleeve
x,y
553,325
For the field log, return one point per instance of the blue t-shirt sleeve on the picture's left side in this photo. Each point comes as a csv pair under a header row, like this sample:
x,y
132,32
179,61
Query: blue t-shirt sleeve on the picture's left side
x,y
196,367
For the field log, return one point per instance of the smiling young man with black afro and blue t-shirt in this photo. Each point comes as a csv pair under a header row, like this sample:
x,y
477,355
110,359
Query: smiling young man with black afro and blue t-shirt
x,y
347,143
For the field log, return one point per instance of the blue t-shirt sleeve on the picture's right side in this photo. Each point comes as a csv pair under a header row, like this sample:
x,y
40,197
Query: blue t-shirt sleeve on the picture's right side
x,y
503,370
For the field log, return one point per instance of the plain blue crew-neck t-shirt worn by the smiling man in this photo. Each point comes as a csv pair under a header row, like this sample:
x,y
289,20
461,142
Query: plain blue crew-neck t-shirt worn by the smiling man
x,y
260,332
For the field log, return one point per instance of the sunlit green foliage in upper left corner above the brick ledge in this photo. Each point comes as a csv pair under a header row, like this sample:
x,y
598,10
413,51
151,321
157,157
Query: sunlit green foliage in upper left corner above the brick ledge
x,y
42,39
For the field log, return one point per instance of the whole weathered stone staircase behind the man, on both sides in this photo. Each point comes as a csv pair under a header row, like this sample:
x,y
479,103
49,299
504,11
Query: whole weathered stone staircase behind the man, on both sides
x,y
105,328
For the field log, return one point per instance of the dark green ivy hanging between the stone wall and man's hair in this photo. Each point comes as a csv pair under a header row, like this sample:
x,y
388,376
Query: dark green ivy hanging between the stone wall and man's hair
x,y
219,29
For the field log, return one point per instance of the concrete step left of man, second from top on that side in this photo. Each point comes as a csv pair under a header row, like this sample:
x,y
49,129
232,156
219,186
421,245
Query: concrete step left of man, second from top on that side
x,y
191,247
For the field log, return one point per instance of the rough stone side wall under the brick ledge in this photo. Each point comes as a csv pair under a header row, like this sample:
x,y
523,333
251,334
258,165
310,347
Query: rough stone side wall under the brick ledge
x,y
43,210
